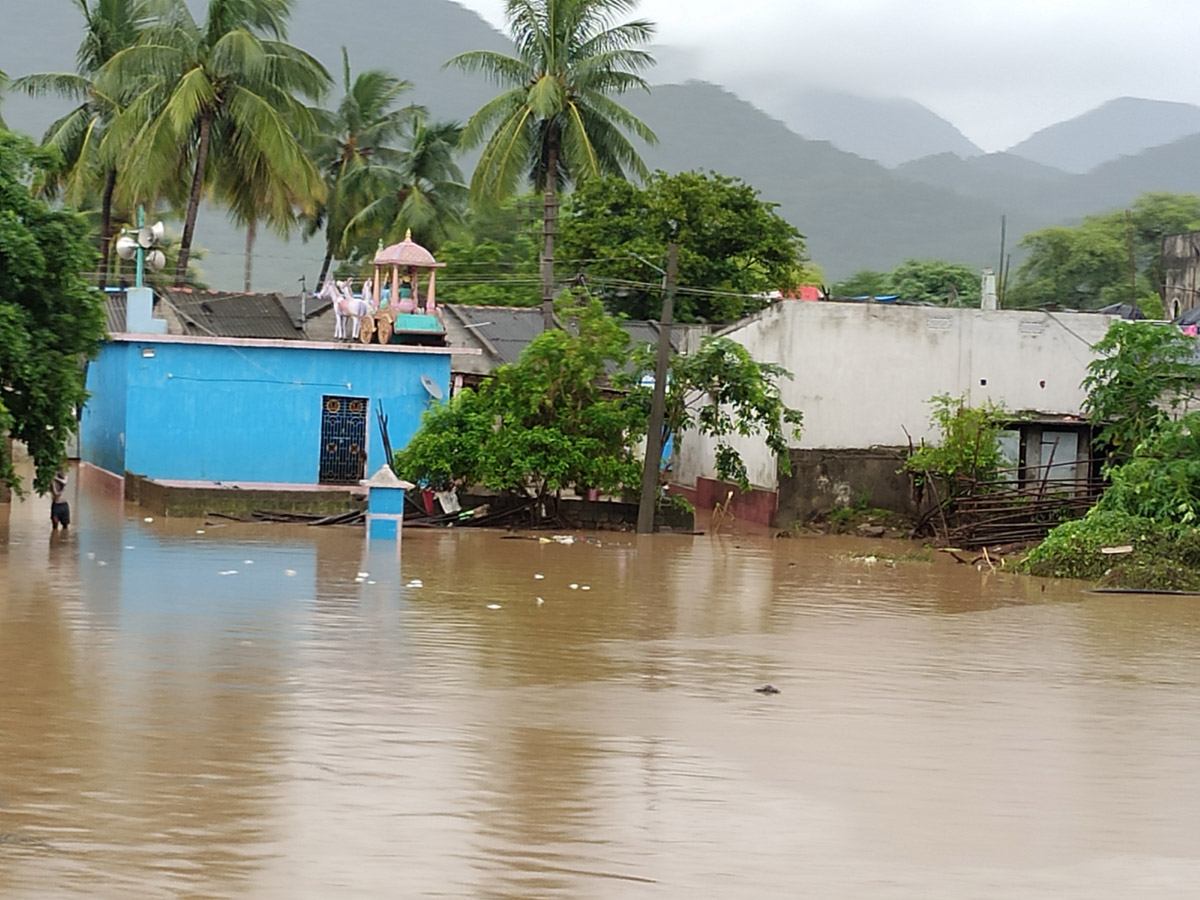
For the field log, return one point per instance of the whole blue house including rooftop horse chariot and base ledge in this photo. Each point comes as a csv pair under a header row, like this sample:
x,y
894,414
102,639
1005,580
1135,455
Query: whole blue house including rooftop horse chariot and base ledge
x,y
227,401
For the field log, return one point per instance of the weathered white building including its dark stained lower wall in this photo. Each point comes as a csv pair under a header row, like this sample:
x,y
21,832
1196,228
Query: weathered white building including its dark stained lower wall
x,y
863,376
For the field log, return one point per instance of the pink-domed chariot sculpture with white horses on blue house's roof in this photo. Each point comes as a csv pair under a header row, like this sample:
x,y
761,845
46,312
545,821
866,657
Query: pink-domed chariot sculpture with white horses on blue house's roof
x,y
394,307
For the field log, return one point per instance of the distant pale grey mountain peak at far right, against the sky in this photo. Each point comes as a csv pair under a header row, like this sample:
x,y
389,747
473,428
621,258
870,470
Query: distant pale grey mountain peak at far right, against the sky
x,y
1120,128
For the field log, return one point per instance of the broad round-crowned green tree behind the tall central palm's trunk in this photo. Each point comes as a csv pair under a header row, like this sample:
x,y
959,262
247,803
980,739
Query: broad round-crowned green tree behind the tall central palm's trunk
x,y
734,247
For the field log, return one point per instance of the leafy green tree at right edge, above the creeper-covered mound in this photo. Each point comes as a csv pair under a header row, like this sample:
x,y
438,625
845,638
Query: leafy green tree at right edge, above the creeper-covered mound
x,y
1143,374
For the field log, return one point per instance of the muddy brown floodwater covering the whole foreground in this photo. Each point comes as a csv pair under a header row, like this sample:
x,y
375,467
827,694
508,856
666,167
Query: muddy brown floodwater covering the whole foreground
x,y
277,712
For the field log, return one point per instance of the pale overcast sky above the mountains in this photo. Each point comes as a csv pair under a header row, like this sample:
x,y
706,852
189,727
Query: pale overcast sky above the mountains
x,y
999,70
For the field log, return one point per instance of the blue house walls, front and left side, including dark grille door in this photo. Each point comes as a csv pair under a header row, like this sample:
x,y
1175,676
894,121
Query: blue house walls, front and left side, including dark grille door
x,y
281,412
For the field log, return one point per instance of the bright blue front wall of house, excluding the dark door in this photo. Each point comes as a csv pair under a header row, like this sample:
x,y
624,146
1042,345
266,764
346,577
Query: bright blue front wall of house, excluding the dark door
x,y
227,413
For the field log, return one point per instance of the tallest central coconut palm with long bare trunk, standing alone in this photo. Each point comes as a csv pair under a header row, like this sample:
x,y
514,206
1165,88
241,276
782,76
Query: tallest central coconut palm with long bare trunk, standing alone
x,y
557,123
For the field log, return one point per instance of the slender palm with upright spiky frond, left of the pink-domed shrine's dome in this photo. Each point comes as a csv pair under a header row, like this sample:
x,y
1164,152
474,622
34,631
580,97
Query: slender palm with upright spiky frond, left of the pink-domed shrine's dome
x,y
359,134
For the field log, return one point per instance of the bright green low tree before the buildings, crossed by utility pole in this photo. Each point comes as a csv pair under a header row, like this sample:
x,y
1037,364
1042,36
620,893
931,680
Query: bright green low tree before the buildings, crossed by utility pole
x,y
572,411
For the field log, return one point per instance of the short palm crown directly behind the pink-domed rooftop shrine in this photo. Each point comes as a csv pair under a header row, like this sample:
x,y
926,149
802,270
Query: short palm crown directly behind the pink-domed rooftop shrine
x,y
417,190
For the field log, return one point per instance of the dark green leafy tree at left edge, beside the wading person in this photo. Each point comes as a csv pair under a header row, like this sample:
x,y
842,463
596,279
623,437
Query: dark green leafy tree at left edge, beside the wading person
x,y
50,320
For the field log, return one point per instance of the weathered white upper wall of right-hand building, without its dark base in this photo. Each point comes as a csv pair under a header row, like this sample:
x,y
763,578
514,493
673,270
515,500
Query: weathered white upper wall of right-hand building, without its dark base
x,y
865,373
